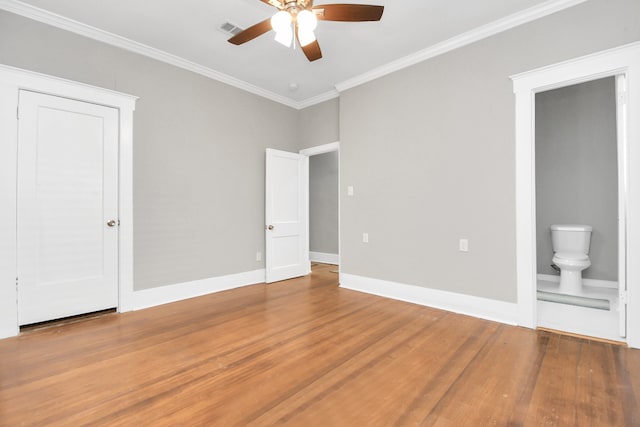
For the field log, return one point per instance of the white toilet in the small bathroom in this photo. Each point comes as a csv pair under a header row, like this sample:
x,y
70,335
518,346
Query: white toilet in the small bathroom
x,y
570,244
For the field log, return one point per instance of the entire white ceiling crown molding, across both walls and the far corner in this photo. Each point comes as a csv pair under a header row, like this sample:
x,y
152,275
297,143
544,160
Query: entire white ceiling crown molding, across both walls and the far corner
x,y
46,17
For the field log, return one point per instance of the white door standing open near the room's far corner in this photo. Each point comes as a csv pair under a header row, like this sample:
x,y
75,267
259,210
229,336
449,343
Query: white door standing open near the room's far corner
x,y
286,228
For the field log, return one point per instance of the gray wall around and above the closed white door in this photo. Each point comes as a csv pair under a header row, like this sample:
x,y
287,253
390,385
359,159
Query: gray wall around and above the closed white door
x,y
198,152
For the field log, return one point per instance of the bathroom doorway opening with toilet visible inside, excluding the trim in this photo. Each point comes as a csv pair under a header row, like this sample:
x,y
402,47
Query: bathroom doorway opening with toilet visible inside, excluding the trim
x,y
577,205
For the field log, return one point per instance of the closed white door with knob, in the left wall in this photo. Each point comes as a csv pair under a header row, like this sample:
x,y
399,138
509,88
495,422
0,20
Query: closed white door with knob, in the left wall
x,y
67,207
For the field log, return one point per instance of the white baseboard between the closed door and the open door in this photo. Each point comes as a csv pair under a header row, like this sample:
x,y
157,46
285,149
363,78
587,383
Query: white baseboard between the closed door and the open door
x,y
171,293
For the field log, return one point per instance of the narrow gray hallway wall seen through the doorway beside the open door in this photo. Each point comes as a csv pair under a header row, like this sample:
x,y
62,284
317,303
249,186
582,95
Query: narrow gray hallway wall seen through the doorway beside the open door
x,y
323,203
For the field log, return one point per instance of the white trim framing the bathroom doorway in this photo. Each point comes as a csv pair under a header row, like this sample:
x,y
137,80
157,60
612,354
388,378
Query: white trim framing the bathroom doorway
x,y
621,60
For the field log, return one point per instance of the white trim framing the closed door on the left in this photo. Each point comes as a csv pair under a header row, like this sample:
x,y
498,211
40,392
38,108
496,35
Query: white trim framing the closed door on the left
x,y
12,80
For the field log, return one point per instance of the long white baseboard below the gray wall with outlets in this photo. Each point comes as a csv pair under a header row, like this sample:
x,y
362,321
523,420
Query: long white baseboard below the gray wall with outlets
x,y
499,311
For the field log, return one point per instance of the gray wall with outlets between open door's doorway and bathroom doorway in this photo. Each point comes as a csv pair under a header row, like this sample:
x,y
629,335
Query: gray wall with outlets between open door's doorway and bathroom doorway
x,y
430,153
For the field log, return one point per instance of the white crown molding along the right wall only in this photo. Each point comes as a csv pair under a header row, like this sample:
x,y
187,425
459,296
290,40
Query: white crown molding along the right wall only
x,y
485,31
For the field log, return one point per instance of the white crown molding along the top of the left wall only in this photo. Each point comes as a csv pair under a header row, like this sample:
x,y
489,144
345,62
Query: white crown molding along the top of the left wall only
x,y
53,19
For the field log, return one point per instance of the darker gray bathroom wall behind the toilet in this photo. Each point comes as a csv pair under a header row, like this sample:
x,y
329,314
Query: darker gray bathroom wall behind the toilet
x,y
577,171
